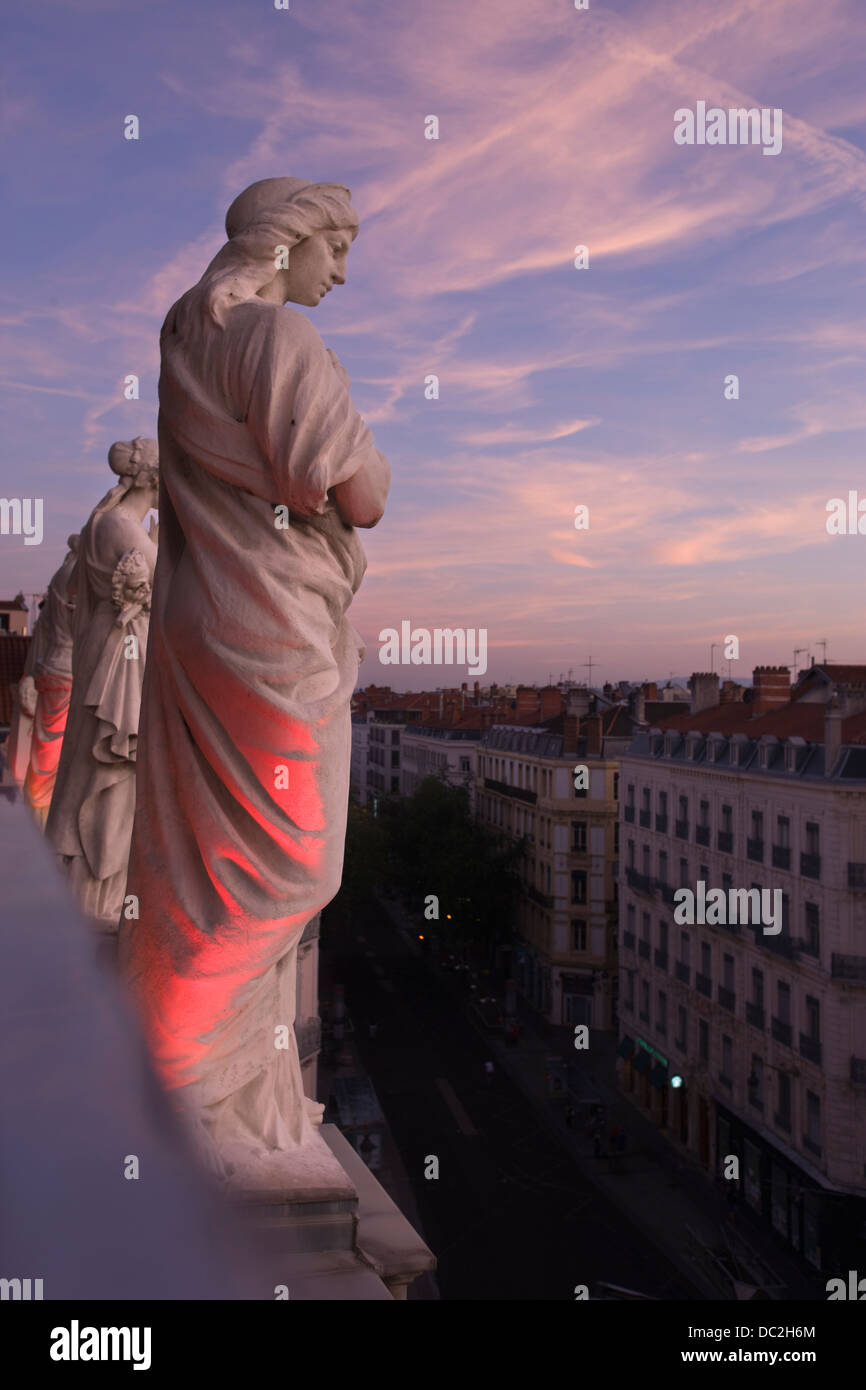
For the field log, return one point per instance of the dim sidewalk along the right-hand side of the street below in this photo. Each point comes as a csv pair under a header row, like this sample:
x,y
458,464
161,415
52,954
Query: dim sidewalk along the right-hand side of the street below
x,y
661,1189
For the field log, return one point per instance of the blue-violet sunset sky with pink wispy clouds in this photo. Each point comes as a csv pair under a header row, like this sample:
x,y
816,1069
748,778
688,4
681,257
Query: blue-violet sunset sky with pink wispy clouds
x,y
558,386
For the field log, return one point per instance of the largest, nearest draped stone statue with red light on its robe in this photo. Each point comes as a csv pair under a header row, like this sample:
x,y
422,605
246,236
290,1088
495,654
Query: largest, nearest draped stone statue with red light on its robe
x,y
266,469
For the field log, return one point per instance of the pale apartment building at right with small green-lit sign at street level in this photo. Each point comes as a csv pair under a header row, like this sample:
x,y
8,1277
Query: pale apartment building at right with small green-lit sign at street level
x,y
736,1040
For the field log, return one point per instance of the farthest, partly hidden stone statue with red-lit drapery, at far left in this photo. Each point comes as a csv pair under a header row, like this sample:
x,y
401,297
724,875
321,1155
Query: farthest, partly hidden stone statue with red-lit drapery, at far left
x,y
54,683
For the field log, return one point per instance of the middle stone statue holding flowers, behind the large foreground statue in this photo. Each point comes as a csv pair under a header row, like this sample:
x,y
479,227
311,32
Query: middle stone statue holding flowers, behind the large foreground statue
x,y
91,819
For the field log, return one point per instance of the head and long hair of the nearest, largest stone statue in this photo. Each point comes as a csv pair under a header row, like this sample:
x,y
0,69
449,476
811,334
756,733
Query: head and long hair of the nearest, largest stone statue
x,y
288,241
